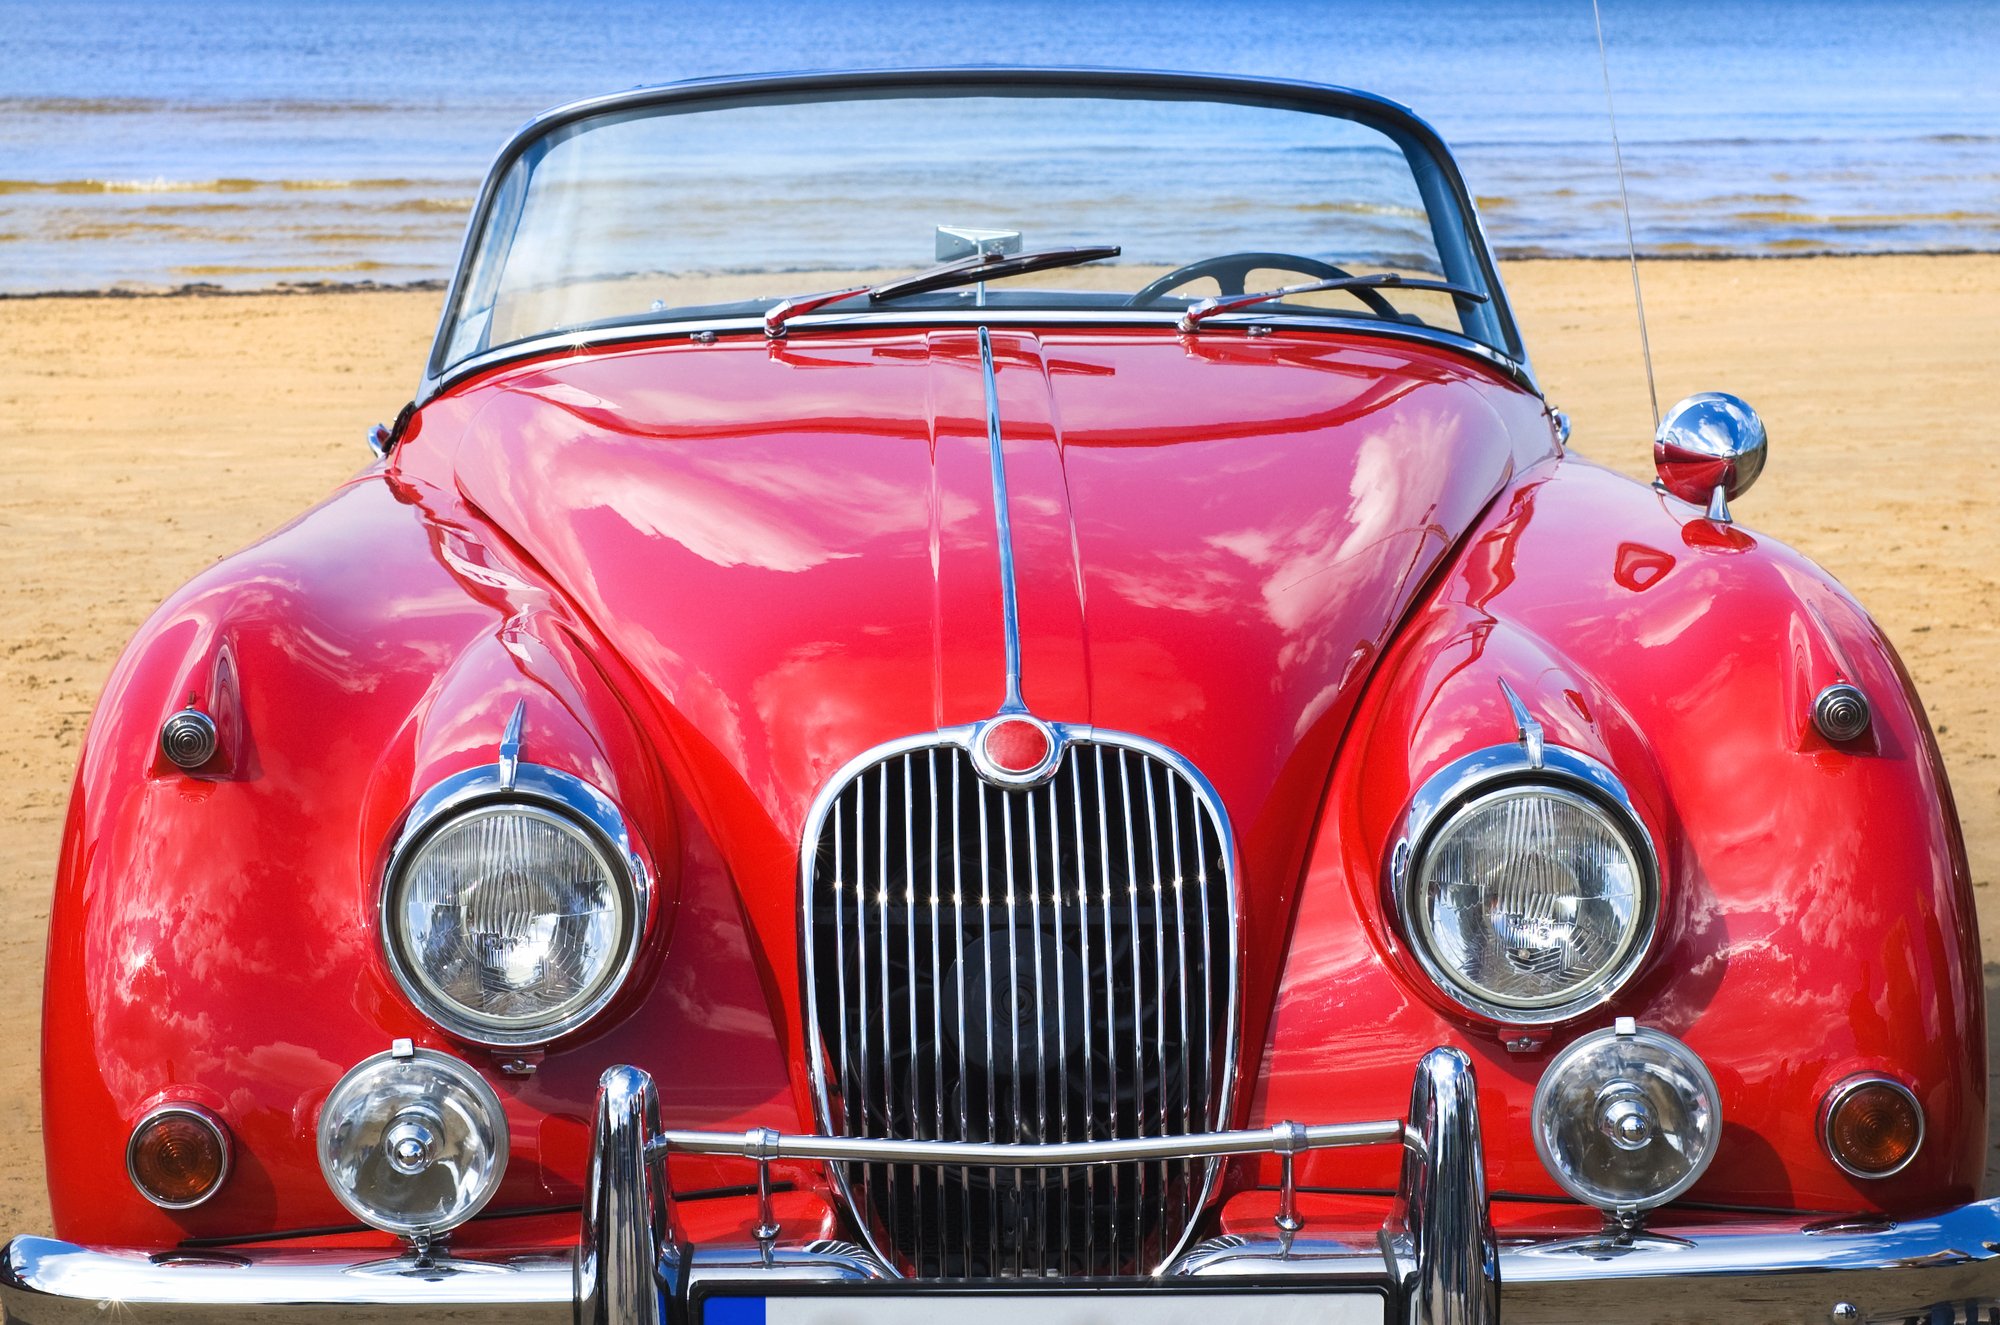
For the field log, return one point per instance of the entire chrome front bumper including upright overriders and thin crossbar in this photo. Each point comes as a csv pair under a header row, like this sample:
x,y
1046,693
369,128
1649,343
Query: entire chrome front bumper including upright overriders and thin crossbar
x,y
1433,1264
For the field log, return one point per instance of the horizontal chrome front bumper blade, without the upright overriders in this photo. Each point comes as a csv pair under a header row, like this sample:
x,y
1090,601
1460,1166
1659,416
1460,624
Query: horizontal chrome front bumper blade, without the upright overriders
x,y
1937,1270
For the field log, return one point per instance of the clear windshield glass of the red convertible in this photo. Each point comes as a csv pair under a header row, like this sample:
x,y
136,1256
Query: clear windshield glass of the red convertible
x,y
725,209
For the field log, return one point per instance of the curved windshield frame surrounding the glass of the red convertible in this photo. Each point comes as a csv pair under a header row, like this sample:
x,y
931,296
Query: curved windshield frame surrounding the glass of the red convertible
x,y
1385,115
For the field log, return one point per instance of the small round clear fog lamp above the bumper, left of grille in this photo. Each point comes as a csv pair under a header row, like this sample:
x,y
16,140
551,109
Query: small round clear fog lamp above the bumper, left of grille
x,y
413,1142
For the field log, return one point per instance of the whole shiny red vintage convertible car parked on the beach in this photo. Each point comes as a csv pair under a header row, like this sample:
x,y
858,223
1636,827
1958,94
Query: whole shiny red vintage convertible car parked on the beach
x,y
995,692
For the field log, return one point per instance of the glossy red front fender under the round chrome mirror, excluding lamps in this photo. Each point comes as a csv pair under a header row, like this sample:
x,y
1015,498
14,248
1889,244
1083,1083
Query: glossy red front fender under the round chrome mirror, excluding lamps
x,y
1817,912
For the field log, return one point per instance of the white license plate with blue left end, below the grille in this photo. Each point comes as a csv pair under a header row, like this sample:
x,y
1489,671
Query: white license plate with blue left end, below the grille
x,y
1033,1308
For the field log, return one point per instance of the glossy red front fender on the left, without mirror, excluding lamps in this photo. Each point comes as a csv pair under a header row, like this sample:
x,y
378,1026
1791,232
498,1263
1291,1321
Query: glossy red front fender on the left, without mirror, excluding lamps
x,y
215,936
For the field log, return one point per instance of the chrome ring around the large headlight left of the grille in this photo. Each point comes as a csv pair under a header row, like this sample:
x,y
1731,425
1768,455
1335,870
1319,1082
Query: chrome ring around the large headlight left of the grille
x,y
545,792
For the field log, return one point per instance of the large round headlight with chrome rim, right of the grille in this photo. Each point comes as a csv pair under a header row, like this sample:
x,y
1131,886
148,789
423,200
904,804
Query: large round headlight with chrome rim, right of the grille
x,y
1529,902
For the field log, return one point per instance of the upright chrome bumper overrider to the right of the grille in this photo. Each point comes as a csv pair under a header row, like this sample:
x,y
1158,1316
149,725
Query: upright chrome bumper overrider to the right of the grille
x,y
1441,1216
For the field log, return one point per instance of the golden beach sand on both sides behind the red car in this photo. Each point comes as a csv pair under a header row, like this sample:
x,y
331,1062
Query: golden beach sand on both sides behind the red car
x,y
145,437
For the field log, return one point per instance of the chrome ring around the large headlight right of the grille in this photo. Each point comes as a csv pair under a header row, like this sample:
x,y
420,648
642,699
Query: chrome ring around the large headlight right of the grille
x,y
1503,768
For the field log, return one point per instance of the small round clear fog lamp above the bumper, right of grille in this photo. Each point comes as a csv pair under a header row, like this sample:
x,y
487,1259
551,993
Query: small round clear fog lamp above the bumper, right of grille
x,y
1627,1120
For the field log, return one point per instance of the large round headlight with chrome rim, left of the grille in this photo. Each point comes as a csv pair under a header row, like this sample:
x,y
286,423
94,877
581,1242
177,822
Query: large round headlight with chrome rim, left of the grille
x,y
515,922
